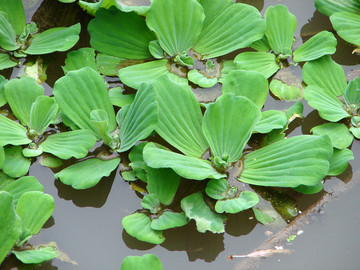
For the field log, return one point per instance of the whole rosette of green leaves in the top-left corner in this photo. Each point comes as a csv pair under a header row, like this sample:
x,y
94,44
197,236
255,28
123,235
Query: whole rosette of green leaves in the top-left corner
x,y
18,39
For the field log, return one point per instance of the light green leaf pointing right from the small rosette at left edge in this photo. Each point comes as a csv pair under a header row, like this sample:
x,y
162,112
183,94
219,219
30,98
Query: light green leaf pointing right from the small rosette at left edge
x,y
69,144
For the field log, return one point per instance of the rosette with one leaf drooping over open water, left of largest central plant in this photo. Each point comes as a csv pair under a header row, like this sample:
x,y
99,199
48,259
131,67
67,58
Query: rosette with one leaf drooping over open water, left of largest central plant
x,y
119,132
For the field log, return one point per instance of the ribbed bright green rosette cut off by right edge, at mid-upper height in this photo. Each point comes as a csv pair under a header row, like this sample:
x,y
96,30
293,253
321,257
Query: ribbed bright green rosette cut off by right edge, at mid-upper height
x,y
330,94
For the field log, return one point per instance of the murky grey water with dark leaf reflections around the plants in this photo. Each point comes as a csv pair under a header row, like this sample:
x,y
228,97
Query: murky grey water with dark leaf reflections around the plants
x,y
86,224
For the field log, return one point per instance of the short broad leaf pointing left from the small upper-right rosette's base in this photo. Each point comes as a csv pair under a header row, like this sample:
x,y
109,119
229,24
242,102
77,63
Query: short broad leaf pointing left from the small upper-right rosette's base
x,y
257,61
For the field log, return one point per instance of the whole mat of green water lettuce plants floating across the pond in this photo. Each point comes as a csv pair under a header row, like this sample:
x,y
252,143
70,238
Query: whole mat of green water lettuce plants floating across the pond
x,y
157,50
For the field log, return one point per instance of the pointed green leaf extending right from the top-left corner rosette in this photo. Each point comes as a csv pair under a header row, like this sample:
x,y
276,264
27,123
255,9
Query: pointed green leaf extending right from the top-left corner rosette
x,y
55,39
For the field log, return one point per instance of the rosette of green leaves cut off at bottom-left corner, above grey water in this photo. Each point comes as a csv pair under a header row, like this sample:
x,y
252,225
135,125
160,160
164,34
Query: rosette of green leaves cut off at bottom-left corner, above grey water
x,y
24,209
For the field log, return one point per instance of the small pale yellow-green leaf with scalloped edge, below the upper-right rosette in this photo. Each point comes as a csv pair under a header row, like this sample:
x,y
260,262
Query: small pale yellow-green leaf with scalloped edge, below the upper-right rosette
x,y
284,91
